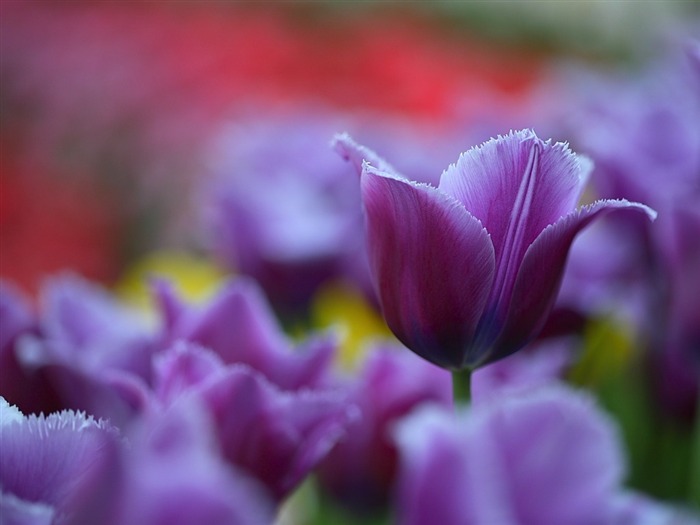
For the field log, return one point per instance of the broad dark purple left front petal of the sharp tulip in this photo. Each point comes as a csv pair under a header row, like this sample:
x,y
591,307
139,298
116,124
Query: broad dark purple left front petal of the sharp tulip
x,y
433,265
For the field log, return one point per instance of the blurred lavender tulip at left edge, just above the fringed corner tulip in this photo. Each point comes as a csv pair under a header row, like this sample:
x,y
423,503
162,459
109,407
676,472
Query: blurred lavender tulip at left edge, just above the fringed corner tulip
x,y
86,352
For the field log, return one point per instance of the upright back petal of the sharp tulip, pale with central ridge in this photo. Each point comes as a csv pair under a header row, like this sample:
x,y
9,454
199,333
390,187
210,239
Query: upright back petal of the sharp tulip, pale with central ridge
x,y
516,186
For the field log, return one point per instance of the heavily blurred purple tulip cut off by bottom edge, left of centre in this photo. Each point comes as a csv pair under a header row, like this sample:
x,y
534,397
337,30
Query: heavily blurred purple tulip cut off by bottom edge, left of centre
x,y
170,470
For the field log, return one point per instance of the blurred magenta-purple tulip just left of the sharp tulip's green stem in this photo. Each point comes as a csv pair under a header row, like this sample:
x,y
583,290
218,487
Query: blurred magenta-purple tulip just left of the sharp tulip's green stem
x,y
361,469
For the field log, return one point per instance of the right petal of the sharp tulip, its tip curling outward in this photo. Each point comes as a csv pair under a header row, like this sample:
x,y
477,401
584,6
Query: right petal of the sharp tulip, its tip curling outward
x,y
541,272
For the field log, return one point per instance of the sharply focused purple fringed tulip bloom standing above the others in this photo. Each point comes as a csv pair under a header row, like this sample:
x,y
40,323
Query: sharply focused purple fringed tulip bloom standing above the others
x,y
467,272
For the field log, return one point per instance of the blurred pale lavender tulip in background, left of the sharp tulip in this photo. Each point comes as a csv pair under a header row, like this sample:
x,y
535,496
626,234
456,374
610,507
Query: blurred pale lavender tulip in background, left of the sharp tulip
x,y
280,208
